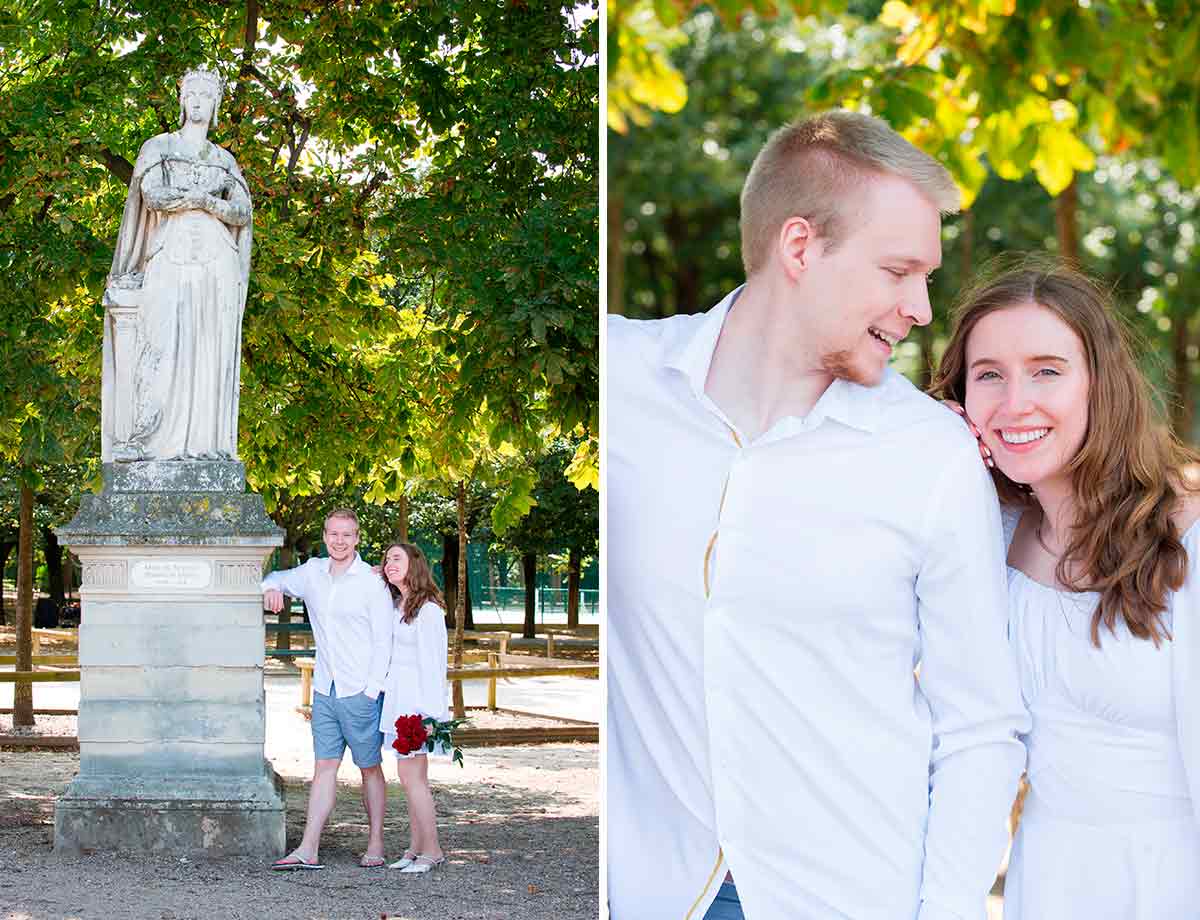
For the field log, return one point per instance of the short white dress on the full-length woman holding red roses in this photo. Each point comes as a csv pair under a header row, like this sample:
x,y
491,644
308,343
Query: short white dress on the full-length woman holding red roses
x,y
417,677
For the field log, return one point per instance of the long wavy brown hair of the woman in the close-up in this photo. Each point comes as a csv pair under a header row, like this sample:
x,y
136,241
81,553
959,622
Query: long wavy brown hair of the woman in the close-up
x,y
1130,471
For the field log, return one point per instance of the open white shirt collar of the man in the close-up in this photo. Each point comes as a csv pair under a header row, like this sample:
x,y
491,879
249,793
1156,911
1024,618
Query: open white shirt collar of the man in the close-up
x,y
845,402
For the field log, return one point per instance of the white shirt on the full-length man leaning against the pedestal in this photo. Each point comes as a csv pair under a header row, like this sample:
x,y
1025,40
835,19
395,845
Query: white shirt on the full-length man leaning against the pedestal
x,y
352,621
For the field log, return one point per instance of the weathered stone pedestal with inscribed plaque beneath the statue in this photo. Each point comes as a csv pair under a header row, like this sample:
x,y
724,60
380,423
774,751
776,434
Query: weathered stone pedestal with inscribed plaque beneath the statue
x,y
172,713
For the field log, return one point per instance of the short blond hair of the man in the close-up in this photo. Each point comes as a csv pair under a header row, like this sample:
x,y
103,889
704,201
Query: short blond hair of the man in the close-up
x,y
815,170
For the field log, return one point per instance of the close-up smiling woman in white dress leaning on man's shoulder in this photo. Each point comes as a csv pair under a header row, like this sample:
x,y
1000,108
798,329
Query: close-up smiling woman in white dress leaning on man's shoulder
x,y
1105,597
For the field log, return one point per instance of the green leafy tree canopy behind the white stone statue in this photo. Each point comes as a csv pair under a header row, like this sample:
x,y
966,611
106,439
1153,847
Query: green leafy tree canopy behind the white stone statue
x,y
425,221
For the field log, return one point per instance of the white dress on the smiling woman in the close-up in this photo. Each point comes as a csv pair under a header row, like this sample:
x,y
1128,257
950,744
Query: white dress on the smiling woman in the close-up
x,y
1108,829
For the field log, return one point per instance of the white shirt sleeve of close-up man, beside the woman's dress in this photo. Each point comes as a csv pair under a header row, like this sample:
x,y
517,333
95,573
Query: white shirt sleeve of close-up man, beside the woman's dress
x,y
970,681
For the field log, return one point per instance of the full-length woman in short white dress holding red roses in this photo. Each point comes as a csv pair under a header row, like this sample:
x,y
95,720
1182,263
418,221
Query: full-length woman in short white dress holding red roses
x,y
417,686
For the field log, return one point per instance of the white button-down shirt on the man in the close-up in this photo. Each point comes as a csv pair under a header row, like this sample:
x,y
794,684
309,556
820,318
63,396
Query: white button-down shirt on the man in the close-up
x,y
769,602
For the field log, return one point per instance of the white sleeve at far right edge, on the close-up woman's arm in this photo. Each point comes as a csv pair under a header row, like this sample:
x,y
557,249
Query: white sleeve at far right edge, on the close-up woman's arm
x,y
1186,664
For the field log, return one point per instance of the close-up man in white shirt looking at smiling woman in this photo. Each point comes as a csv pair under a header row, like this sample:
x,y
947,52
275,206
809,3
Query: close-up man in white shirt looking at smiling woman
x,y
793,528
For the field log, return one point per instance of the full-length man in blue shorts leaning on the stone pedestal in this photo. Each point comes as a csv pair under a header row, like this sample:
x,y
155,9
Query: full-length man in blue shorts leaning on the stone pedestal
x,y
352,617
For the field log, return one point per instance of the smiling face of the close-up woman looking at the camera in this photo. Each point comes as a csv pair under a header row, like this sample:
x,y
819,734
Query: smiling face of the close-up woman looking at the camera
x,y
1027,390
